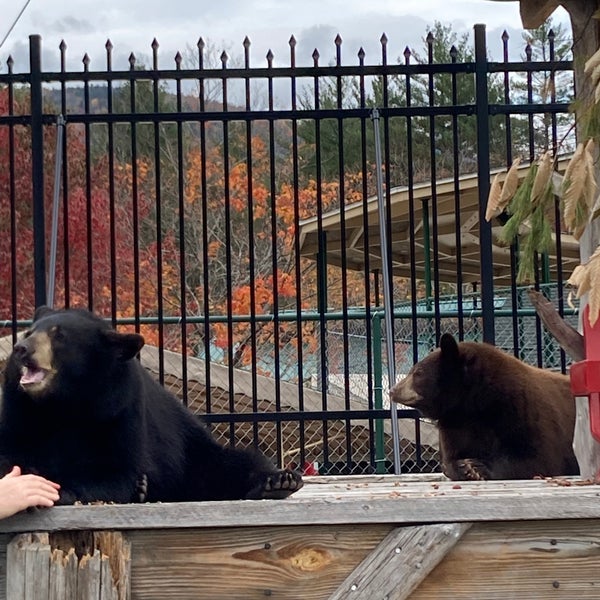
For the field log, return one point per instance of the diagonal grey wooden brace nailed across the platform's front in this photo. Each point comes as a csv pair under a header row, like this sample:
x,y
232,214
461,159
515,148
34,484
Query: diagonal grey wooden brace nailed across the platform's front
x,y
401,562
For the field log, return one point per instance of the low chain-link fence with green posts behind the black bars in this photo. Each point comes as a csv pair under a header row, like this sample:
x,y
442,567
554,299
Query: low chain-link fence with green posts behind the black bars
x,y
247,409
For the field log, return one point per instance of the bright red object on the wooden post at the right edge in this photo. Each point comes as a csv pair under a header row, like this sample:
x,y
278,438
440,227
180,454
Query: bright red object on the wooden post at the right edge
x,y
585,375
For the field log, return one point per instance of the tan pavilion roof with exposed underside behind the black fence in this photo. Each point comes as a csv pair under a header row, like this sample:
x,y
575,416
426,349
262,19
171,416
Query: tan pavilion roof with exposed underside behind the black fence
x,y
447,199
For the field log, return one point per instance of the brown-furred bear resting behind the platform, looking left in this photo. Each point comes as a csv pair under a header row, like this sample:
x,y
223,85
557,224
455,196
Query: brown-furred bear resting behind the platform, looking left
x,y
498,418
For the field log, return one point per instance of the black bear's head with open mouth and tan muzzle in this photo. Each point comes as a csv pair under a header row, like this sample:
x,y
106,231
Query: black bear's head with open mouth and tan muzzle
x,y
66,351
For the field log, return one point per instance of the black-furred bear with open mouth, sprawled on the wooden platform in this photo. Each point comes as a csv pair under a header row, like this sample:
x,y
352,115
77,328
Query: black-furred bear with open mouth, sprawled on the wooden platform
x,y
79,409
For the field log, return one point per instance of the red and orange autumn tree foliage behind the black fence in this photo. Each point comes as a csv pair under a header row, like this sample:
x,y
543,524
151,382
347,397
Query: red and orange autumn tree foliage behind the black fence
x,y
215,238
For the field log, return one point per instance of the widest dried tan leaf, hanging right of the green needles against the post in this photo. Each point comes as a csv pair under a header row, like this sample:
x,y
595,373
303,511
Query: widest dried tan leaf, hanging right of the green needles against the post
x,y
579,189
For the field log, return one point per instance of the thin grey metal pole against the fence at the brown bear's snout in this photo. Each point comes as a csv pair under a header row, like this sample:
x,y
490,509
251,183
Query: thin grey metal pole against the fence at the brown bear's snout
x,y
388,301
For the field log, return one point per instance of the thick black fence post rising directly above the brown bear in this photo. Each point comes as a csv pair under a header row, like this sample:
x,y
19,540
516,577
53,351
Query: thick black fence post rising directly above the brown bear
x,y
483,180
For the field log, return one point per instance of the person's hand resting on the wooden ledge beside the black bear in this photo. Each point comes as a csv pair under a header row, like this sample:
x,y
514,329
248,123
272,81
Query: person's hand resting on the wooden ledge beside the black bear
x,y
18,492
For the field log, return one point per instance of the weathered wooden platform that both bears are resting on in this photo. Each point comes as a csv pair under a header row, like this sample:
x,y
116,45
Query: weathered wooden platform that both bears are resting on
x,y
346,537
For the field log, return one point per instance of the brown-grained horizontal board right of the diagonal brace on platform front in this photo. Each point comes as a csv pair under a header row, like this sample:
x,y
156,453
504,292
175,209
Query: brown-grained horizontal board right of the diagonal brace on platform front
x,y
520,561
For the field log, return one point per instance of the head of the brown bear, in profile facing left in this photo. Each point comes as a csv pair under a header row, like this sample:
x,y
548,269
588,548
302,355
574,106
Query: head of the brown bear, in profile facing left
x,y
435,384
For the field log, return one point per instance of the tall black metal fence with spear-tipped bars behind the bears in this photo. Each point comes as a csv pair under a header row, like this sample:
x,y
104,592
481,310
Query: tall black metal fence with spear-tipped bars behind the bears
x,y
228,212
